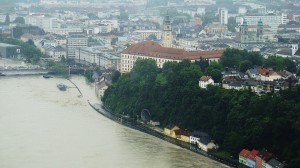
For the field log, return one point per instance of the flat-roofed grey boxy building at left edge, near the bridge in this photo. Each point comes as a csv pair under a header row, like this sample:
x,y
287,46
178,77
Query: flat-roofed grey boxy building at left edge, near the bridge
x,y
10,51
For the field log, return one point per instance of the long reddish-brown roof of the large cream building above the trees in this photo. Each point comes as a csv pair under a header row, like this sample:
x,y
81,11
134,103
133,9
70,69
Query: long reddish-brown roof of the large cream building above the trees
x,y
152,49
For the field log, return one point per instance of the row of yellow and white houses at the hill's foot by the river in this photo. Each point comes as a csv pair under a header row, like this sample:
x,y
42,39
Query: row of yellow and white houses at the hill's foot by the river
x,y
201,139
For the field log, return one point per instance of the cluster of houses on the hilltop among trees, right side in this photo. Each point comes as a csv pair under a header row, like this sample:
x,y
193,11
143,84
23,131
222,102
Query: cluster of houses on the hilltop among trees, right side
x,y
256,79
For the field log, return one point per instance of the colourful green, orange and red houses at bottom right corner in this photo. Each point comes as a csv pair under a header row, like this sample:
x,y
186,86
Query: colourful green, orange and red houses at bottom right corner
x,y
259,159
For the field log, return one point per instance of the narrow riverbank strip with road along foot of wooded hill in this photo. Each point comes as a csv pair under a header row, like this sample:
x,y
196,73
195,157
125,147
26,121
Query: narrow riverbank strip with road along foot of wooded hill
x,y
140,127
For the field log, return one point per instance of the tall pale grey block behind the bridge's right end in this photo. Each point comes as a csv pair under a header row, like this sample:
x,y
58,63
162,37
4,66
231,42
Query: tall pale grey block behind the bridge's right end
x,y
75,41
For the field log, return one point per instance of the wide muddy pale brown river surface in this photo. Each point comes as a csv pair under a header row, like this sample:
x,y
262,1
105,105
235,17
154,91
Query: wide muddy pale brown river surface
x,y
42,127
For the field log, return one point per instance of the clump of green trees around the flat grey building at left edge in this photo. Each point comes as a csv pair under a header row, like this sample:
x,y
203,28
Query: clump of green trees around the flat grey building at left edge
x,y
29,51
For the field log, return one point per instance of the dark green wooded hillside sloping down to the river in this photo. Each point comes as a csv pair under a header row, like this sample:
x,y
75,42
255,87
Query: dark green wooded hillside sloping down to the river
x,y
235,119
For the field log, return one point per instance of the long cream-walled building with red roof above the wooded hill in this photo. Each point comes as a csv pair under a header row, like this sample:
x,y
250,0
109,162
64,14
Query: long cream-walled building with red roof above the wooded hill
x,y
152,50
